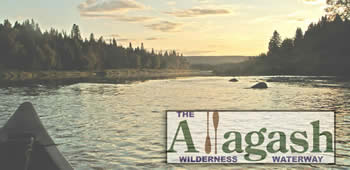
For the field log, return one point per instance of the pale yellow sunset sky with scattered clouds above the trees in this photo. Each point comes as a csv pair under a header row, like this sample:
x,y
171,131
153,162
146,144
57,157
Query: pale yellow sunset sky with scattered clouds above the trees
x,y
192,27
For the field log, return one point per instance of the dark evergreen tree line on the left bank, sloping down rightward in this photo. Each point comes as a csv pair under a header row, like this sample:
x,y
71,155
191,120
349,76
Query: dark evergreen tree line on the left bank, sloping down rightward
x,y
23,46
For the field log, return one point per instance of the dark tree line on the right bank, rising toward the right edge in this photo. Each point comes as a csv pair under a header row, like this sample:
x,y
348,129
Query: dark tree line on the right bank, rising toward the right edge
x,y
323,49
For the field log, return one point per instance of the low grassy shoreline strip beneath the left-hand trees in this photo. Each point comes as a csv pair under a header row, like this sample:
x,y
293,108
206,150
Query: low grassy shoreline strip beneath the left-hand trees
x,y
24,78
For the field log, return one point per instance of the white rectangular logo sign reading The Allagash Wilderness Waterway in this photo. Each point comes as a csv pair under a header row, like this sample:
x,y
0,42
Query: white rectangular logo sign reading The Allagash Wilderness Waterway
x,y
283,137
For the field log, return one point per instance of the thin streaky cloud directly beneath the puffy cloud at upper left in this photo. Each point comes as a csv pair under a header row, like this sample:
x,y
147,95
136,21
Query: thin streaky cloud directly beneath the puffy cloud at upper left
x,y
118,17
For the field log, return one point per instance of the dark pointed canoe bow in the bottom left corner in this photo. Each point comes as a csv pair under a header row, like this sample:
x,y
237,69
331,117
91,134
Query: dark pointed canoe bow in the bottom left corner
x,y
26,145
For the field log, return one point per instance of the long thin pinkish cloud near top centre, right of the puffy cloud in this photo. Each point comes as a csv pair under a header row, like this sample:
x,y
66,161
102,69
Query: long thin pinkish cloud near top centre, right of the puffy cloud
x,y
194,12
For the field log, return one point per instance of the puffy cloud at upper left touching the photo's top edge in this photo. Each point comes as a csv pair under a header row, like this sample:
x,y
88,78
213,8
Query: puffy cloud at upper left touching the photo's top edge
x,y
92,6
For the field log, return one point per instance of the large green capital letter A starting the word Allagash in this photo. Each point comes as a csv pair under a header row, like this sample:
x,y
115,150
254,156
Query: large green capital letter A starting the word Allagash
x,y
187,138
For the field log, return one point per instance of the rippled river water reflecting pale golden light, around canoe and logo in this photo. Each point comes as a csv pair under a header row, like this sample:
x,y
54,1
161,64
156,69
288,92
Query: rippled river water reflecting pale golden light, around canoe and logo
x,y
123,126
